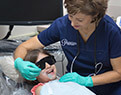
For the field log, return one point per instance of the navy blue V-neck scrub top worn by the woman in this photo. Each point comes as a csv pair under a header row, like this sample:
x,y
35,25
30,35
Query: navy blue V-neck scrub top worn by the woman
x,y
108,44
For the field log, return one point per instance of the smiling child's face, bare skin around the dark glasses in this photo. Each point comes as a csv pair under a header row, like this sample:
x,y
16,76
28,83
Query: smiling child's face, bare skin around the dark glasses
x,y
47,74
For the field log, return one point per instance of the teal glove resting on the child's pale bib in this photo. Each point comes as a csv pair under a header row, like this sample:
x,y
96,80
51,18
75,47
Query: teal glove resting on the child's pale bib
x,y
74,77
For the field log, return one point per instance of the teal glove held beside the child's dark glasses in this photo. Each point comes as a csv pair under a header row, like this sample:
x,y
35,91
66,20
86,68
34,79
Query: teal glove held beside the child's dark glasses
x,y
27,69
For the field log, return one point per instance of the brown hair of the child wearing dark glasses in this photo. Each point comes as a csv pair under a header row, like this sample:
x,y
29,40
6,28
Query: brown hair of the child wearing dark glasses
x,y
32,57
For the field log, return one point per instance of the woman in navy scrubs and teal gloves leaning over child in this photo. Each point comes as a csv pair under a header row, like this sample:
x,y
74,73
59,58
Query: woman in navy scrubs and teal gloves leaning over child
x,y
91,42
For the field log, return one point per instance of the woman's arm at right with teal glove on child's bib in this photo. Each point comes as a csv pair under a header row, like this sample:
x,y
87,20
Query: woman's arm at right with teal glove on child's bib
x,y
104,78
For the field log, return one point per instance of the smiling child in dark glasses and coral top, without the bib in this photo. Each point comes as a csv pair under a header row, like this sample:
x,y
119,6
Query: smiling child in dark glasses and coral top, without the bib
x,y
46,62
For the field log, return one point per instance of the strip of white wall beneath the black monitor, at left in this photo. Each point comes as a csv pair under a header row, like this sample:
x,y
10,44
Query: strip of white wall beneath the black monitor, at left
x,y
18,31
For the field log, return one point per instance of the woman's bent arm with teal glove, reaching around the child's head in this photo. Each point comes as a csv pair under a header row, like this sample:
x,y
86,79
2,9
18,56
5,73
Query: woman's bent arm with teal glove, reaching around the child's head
x,y
27,69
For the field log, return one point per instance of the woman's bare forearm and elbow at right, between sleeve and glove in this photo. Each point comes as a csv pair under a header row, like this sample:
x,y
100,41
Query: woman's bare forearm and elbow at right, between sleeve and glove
x,y
110,76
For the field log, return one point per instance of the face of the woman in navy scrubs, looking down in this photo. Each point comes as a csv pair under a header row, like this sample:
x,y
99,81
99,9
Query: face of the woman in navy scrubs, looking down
x,y
80,21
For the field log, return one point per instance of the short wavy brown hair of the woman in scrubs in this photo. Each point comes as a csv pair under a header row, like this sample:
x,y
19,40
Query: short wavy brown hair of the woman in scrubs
x,y
87,7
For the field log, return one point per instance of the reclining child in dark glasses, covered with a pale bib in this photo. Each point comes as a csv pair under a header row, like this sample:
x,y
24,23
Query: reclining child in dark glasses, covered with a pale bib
x,y
47,82
